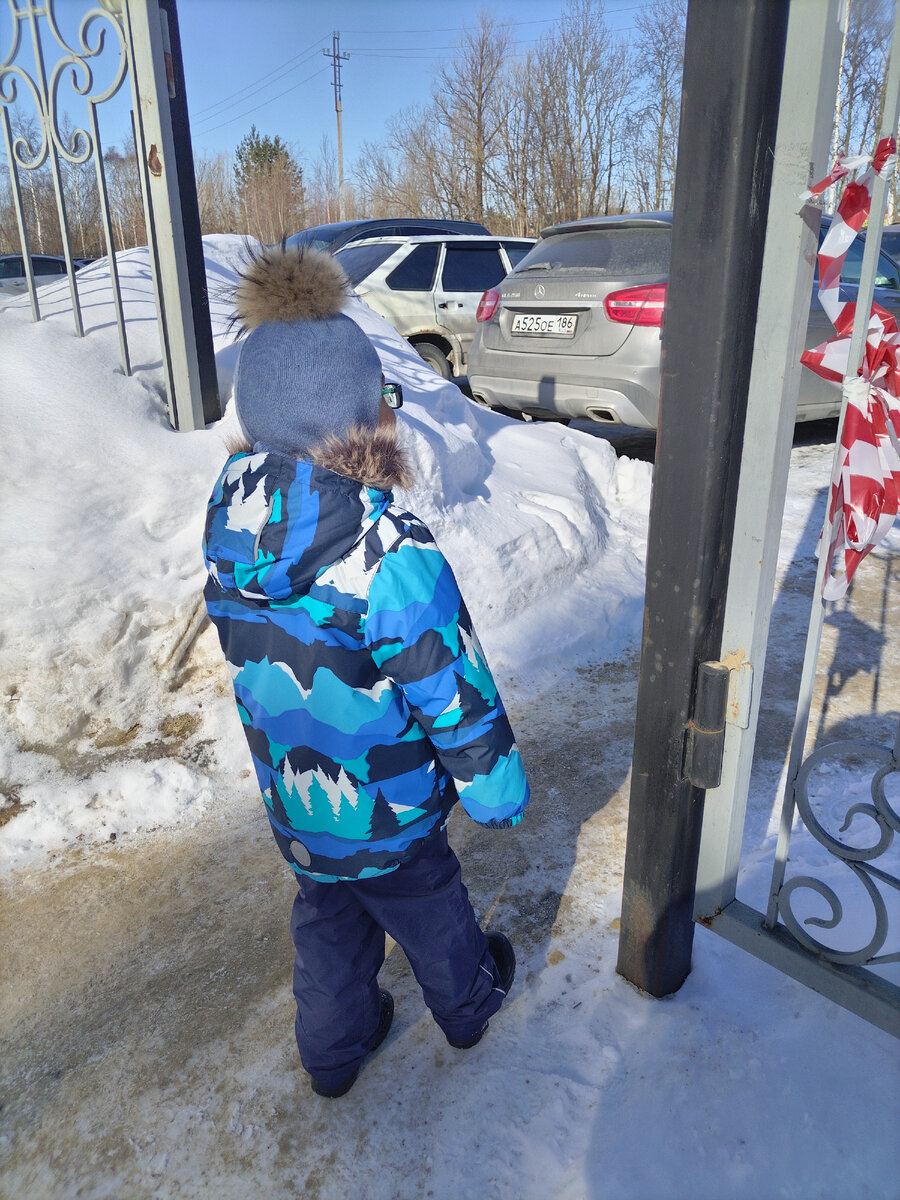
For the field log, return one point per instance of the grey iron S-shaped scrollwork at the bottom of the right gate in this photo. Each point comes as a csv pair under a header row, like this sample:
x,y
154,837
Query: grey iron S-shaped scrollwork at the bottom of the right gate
x,y
860,860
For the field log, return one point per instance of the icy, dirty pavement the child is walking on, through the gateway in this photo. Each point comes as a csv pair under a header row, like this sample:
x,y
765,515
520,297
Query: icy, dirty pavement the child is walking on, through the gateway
x,y
148,1011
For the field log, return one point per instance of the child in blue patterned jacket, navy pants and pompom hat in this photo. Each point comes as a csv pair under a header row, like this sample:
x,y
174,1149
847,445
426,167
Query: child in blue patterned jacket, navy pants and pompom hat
x,y
364,694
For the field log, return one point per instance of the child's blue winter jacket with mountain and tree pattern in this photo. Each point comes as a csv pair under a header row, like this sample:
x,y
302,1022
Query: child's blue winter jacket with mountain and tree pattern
x,y
365,697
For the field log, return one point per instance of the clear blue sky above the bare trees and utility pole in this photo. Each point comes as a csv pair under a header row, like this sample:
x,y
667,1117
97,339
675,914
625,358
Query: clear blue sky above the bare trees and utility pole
x,y
261,62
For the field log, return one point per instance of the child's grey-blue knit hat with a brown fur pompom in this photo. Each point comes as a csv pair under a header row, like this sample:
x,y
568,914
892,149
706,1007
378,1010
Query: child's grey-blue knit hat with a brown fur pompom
x,y
305,370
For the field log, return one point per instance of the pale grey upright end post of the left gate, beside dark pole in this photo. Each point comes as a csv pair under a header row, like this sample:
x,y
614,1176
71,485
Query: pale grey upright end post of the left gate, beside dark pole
x,y
163,209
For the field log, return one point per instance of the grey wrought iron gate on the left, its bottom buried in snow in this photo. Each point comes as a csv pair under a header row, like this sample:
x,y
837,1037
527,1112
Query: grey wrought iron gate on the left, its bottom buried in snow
x,y
140,32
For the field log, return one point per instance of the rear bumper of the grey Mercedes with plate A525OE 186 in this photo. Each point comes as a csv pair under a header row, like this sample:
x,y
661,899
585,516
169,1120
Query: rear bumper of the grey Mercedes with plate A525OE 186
x,y
613,403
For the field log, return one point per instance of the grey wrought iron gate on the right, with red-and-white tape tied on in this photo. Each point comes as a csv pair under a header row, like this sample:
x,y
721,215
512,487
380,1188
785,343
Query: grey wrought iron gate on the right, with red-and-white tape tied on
x,y
843,973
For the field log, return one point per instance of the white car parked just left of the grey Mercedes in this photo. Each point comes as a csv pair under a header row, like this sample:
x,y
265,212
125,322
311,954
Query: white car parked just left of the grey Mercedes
x,y
429,289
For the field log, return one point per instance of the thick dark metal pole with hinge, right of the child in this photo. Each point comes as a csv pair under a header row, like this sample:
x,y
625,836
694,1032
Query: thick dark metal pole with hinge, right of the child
x,y
733,79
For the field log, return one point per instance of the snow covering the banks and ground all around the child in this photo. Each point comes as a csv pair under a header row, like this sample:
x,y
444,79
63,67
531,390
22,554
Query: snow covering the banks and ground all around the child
x,y
119,727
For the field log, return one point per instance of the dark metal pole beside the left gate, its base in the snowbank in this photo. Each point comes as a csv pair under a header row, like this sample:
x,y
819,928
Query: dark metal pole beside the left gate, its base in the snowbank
x,y
191,218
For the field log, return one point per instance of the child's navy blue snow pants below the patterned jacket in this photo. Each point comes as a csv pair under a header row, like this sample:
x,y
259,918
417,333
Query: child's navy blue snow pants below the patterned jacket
x,y
339,935
